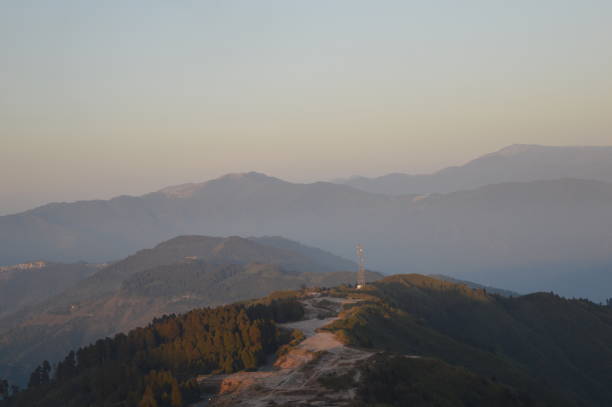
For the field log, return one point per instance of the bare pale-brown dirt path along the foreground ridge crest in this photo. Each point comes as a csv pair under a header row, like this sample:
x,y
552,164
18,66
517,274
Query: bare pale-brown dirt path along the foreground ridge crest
x,y
294,379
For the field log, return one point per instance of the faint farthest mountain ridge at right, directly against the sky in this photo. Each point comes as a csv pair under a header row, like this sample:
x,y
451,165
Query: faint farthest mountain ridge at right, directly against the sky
x,y
516,163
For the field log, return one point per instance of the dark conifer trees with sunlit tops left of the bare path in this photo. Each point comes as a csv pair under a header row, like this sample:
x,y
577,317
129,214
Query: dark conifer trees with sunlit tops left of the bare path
x,y
156,366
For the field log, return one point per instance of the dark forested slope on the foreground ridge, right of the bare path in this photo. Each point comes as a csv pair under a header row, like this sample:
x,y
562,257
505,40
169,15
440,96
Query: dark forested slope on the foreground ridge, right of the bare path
x,y
541,343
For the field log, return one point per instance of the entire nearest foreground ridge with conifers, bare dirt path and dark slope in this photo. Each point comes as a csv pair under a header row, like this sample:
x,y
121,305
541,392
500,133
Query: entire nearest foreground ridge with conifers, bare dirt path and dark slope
x,y
403,340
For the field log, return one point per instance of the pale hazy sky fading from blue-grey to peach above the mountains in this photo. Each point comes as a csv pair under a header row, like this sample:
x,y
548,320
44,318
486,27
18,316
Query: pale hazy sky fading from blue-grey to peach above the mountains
x,y
99,98
